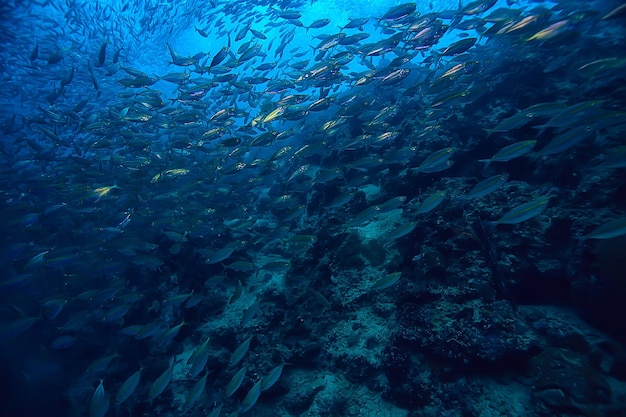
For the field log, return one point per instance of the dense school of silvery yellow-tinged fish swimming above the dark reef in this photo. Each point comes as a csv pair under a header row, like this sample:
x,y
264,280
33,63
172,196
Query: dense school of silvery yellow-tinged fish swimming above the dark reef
x,y
168,166
